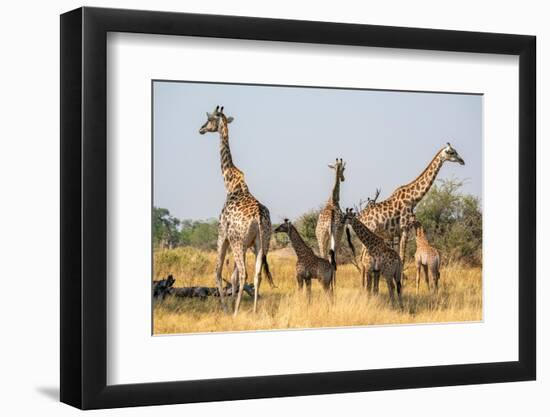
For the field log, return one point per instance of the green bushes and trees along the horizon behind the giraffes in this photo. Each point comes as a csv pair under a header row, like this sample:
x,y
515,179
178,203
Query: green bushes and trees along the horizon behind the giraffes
x,y
452,220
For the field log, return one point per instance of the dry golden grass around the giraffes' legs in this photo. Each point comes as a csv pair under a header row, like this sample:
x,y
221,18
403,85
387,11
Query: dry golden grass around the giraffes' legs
x,y
459,298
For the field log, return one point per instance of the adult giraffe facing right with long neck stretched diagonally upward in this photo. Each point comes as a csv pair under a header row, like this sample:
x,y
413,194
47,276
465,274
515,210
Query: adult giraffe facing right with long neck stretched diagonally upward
x,y
394,216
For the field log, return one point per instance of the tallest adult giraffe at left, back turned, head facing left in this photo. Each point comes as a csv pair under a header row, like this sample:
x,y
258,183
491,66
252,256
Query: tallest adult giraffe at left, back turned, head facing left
x,y
244,221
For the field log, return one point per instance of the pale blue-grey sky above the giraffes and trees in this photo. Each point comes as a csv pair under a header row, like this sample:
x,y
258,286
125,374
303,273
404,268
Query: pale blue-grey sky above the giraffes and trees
x,y
284,137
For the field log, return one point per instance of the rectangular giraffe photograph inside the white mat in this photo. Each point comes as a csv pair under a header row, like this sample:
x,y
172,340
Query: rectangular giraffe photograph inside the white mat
x,y
279,207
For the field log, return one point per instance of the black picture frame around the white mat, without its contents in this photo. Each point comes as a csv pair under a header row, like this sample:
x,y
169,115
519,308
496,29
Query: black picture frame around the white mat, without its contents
x,y
84,207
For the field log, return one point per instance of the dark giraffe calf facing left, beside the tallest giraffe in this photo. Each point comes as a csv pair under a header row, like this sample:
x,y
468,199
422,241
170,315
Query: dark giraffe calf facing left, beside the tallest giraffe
x,y
308,265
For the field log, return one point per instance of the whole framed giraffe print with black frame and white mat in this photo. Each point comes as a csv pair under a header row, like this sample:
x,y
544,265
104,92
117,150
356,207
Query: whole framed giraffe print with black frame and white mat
x,y
257,207
